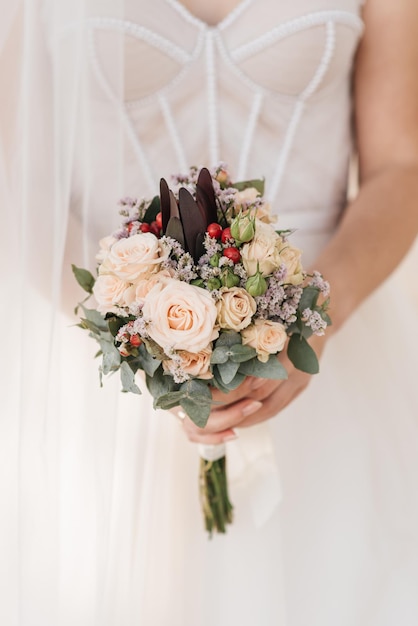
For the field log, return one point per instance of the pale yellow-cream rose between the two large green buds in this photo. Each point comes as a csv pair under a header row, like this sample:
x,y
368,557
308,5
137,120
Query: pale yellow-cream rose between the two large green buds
x,y
264,249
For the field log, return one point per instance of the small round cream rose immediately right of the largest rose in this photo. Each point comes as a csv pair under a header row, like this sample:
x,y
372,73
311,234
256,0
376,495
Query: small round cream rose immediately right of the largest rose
x,y
235,308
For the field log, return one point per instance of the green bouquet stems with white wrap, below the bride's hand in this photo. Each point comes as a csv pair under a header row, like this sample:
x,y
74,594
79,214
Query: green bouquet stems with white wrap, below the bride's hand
x,y
213,488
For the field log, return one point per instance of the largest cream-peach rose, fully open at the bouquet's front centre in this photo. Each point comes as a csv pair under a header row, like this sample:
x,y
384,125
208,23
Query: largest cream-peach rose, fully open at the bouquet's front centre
x,y
180,316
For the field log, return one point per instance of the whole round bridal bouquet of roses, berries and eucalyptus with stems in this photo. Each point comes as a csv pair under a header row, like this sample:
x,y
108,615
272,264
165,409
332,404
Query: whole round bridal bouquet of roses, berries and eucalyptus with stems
x,y
199,290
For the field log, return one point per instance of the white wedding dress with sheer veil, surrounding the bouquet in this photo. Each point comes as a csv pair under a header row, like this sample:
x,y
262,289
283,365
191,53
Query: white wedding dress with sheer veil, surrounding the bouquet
x,y
100,516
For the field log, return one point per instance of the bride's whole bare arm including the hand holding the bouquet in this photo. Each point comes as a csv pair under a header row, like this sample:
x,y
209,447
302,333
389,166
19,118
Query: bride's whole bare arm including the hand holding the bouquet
x,y
380,225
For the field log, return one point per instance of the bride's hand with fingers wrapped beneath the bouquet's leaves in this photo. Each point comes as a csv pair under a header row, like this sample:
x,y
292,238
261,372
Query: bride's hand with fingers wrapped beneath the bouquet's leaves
x,y
256,400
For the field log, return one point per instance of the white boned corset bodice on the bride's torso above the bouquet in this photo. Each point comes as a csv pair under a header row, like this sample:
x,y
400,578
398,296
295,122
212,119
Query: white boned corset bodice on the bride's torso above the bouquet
x,y
267,90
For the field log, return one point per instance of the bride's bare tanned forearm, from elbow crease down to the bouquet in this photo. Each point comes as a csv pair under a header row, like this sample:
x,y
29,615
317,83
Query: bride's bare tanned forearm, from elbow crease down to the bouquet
x,y
376,231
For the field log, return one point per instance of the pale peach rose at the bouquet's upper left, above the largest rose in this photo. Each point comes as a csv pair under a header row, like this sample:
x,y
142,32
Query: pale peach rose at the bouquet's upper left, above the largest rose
x,y
134,258
